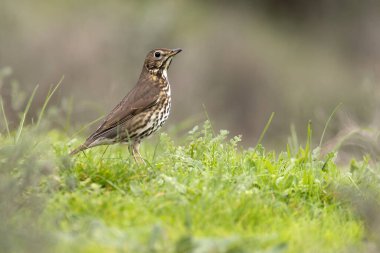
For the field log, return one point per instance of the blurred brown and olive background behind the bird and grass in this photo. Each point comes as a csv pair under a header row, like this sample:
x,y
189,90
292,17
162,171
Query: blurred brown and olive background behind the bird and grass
x,y
242,60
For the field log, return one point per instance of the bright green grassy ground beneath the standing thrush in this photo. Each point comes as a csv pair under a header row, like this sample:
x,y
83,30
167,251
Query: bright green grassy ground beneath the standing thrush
x,y
204,195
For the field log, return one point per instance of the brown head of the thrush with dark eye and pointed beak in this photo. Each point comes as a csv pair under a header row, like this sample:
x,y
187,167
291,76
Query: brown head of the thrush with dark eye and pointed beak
x,y
158,60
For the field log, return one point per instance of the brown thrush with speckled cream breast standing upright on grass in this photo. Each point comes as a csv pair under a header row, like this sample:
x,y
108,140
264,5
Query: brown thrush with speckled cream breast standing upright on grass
x,y
142,111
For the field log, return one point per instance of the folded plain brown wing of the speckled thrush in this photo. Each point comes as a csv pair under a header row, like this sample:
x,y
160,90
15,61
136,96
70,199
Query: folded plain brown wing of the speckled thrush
x,y
140,98
